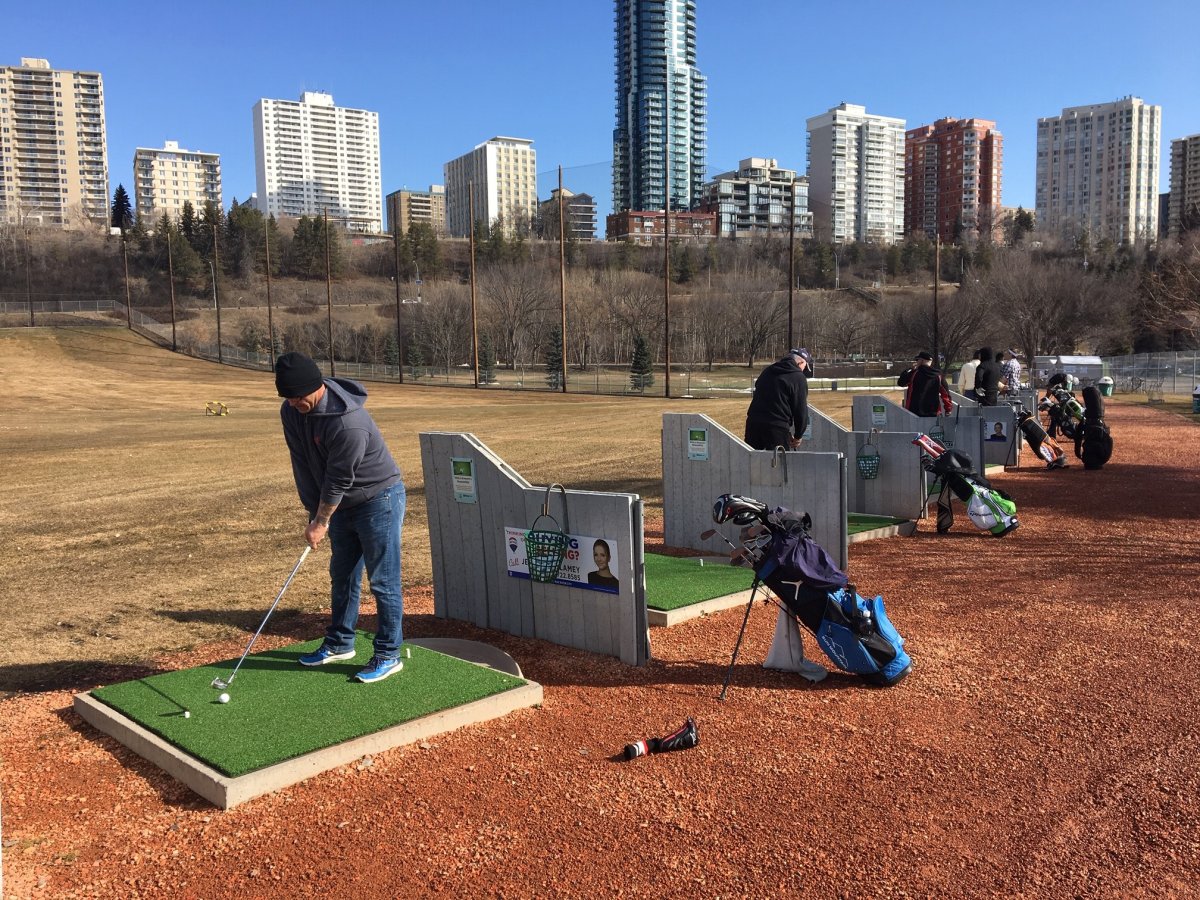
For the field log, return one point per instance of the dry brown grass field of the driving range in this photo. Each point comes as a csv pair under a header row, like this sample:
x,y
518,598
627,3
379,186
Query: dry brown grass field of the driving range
x,y
135,525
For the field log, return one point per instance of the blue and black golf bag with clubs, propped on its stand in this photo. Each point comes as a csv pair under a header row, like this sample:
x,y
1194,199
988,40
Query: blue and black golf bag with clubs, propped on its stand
x,y
854,632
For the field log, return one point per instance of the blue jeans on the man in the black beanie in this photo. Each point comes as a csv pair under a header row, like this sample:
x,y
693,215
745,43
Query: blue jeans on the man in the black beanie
x,y
368,537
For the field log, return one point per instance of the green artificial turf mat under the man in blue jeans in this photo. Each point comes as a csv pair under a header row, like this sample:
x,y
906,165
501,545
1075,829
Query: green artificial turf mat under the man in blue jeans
x,y
280,710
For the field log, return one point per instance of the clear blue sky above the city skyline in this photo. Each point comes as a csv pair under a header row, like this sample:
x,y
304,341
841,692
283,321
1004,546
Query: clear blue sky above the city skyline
x,y
447,76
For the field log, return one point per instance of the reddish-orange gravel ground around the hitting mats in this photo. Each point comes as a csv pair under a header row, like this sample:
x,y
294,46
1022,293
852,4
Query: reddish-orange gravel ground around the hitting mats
x,y
1045,746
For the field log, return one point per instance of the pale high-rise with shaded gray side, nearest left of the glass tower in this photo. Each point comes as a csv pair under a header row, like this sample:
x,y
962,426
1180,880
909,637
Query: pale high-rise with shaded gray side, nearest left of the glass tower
x,y
505,175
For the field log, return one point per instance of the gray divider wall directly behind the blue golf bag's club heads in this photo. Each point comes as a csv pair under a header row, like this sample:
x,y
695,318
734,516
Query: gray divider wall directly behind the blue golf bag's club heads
x,y
814,483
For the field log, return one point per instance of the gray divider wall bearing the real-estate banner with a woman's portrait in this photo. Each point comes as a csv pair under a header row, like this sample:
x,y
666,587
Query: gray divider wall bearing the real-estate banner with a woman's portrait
x,y
471,579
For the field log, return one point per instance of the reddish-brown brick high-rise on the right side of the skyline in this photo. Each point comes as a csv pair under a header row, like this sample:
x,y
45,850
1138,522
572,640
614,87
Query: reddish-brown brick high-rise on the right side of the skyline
x,y
952,178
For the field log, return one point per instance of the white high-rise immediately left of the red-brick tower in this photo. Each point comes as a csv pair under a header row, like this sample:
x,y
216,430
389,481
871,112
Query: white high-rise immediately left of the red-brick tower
x,y
856,176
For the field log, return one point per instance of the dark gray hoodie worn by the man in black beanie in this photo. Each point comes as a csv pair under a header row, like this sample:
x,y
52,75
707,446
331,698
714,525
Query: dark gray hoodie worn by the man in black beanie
x,y
338,454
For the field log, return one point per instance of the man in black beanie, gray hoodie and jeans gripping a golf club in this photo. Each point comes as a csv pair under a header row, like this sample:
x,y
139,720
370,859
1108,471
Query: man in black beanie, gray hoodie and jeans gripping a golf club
x,y
353,491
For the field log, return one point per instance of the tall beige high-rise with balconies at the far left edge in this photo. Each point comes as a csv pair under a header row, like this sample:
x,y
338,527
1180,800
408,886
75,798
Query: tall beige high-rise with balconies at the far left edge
x,y
53,152
